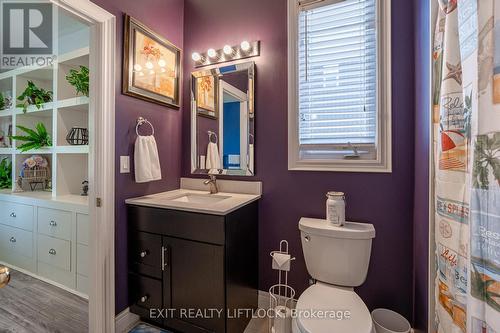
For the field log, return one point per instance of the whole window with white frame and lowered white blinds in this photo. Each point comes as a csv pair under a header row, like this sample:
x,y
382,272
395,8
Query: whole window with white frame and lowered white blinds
x,y
339,112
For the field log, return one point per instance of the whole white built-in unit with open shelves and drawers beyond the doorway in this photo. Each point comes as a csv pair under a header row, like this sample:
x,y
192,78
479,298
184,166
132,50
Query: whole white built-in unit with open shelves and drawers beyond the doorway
x,y
44,233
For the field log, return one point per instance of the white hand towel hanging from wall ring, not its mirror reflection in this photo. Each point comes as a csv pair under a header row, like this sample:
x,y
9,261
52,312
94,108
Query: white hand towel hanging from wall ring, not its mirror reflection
x,y
146,160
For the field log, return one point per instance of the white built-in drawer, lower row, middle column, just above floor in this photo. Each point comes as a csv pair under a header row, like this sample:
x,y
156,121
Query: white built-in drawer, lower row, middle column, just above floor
x,y
55,252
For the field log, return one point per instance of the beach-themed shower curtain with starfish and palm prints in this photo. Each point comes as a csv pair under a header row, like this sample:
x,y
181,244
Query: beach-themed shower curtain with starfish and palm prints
x,y
466,117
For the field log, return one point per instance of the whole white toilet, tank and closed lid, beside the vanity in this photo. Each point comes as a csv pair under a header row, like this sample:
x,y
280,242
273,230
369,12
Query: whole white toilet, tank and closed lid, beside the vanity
x,y
337,258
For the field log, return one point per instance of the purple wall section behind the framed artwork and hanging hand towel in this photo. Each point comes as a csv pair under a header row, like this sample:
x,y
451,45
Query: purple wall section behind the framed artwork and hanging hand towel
x,y
165,17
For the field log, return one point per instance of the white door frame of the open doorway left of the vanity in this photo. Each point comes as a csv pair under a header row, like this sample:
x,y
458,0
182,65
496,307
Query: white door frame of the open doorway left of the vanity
x,y
102,165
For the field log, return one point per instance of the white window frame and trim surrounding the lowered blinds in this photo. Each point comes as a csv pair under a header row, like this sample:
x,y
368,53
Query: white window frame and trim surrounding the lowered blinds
x,y
383,160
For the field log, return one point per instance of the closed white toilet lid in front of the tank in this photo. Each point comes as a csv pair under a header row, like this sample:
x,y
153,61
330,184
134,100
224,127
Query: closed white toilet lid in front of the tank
x,y
335,303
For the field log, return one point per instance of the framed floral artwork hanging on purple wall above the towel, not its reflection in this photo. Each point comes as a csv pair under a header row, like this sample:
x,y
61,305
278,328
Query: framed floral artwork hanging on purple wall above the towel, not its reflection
x,y
151,65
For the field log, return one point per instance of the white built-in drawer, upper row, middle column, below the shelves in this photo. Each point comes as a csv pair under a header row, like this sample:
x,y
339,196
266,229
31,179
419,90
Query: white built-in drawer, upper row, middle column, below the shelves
x,y
54,222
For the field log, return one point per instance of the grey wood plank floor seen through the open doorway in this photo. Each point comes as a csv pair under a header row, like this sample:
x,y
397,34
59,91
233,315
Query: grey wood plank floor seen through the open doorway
x,y
30,305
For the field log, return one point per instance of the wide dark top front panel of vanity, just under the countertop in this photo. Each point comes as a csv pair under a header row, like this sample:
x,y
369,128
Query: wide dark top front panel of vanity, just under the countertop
x,y
193,226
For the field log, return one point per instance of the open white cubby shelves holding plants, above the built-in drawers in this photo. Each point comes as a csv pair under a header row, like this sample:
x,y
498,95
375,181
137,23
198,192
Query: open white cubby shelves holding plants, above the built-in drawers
x,y
68,164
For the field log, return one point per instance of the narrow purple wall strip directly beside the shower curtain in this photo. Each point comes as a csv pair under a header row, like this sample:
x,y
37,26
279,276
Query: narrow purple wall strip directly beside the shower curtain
x,y
422,140
